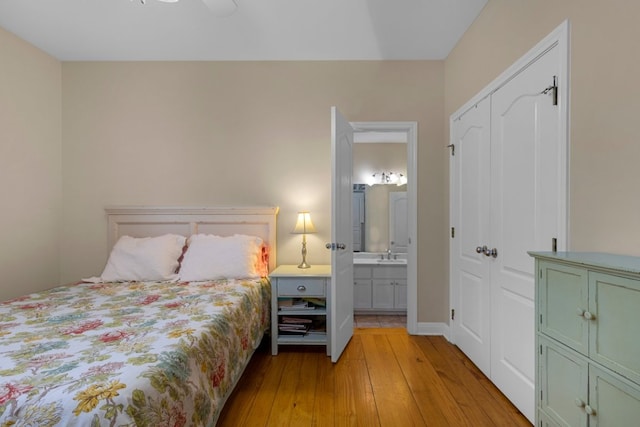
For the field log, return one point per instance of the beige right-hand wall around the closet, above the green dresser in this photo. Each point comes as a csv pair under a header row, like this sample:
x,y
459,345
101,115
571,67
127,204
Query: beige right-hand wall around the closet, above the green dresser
x,y
605,88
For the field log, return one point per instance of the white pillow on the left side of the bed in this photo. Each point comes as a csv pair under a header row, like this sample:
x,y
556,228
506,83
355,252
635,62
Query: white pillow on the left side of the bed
x,y
144,259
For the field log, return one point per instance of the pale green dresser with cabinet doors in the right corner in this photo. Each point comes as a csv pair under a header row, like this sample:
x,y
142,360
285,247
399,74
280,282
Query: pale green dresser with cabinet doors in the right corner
x,y
588,339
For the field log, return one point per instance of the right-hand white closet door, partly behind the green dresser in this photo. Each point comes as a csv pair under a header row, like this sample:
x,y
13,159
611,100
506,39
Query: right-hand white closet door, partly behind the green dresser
x,y
525,185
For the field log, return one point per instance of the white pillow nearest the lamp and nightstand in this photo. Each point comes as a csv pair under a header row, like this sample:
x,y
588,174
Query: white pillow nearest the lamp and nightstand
x,y
210,257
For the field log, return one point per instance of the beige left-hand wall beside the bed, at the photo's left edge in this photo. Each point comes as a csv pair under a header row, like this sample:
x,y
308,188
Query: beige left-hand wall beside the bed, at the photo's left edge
x,y
30,167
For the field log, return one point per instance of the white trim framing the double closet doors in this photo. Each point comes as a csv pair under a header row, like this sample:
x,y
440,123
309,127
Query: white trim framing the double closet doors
x,y
558,37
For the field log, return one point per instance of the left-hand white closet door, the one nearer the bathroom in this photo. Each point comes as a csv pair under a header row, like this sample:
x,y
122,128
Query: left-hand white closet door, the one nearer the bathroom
x,y
470,195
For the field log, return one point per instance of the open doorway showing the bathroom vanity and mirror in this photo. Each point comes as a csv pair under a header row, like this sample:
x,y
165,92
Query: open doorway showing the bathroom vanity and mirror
x,y
385,217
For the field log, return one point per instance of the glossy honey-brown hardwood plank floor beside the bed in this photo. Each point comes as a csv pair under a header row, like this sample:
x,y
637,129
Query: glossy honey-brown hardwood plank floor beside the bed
x,y
385,377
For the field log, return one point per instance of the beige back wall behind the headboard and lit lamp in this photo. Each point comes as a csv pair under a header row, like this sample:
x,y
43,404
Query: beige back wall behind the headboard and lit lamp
x,y
239,133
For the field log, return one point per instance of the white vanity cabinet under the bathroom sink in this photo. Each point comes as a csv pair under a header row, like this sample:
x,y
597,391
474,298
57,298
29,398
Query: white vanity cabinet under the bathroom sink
x,y
380,288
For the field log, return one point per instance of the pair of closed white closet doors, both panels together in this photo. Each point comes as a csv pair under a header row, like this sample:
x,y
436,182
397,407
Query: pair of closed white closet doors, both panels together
x,y
509,192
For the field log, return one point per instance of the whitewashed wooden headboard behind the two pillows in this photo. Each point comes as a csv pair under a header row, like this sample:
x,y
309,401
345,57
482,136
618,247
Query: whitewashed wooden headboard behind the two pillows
x,y
150,221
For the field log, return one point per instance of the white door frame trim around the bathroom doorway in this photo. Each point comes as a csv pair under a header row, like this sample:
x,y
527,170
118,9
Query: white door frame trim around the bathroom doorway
x,y
411,130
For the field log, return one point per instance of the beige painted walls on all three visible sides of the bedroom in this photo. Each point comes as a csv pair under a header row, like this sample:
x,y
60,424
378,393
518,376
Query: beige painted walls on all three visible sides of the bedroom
x,y
162,134
